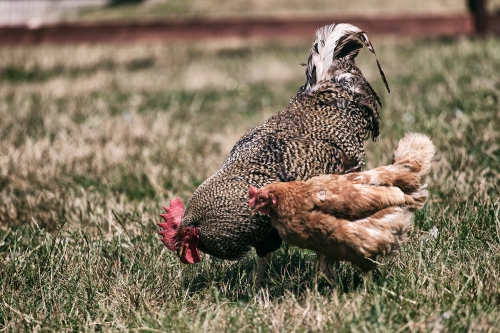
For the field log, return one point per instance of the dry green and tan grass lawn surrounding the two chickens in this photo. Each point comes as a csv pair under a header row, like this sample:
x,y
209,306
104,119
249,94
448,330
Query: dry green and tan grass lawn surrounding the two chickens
x,y
95,139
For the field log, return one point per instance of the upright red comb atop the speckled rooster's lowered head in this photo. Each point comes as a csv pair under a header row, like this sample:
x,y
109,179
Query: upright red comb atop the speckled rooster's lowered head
x,y
172,217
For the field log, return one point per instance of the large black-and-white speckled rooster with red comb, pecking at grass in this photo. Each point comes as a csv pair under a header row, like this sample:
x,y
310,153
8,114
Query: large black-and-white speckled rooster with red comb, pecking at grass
x,y
321,131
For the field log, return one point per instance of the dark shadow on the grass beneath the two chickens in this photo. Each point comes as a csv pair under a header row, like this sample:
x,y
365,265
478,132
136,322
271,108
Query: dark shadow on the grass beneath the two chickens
x,y
291,271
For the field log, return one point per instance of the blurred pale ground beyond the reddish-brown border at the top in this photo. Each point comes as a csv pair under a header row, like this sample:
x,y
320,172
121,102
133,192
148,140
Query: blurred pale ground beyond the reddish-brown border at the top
x,y
43,11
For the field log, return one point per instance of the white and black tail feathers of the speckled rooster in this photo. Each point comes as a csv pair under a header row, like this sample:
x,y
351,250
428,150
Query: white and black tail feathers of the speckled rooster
x,y
332,42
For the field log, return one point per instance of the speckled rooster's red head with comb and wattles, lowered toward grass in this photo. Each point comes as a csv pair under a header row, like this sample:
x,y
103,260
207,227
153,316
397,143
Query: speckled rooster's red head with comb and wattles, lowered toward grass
x,y
183,240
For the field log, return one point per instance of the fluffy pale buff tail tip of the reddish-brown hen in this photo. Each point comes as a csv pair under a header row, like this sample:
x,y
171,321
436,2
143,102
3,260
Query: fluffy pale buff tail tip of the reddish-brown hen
x,y
415,151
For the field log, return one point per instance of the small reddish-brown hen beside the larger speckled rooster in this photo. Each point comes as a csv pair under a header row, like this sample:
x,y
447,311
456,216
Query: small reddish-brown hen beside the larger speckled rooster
x,y
353,217
